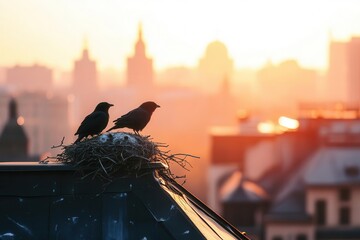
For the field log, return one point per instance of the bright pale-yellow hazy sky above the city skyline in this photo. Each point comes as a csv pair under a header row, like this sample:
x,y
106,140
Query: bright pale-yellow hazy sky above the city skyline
x,y
176,32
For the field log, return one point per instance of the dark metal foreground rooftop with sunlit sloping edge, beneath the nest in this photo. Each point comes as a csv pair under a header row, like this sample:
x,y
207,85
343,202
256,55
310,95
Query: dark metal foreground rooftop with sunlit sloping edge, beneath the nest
x,y
53,201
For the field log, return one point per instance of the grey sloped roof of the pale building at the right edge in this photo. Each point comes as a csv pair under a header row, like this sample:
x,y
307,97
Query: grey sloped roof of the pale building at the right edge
x,y
328,166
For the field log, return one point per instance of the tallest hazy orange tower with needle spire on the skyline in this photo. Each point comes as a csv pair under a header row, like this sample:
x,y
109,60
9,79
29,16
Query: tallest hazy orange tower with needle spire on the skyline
x,y
139,66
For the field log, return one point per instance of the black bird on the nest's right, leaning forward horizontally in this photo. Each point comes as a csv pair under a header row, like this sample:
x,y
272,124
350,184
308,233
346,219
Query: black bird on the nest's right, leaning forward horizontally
x,y
136,119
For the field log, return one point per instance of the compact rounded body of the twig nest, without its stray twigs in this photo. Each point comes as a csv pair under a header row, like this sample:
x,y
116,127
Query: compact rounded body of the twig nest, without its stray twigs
x,y
110,153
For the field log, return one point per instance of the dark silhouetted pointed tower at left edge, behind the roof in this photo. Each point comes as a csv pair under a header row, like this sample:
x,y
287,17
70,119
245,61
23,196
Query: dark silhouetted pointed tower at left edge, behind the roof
x,y
14,143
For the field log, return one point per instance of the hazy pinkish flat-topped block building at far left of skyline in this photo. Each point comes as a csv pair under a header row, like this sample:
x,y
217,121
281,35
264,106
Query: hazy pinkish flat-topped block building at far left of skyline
x,y
30,78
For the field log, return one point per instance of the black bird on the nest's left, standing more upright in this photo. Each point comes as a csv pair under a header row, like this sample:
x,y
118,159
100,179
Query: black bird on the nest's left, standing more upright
x,y
95,122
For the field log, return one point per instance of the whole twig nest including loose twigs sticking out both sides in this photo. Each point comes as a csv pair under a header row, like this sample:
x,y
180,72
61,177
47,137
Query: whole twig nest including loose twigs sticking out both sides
x,y
119,154
